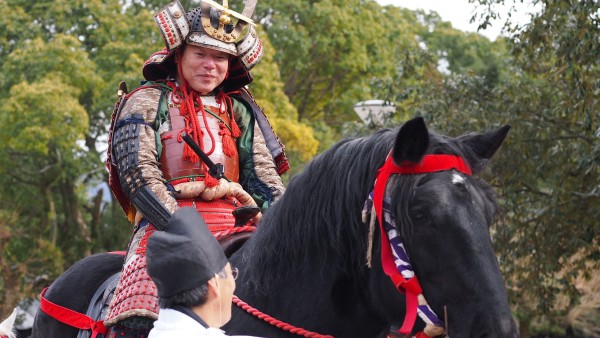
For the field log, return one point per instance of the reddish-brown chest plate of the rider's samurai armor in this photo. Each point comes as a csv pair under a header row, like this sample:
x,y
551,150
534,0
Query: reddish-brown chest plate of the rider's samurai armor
x,y
174,167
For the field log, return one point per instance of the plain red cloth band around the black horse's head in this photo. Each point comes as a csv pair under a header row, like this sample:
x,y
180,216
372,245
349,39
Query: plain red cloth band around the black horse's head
x,y
429,164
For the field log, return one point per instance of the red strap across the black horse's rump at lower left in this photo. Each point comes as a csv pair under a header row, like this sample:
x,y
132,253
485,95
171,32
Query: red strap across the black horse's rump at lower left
x,y
70,317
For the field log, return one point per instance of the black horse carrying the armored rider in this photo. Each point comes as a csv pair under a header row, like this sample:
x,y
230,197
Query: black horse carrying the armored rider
x,y
306,264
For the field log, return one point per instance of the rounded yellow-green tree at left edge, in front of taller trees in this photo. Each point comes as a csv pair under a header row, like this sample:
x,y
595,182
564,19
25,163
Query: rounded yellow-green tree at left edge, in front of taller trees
x,y
40,144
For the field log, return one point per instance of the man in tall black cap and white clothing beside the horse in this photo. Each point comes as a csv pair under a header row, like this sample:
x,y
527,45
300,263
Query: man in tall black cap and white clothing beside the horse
x,y
195,281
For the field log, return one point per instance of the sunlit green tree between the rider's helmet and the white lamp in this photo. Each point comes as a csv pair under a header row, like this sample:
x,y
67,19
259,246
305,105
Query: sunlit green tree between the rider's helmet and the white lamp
x,y
329,51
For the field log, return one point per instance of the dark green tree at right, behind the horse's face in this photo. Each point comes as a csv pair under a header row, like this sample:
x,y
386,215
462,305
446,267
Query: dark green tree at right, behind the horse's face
x,y
548,91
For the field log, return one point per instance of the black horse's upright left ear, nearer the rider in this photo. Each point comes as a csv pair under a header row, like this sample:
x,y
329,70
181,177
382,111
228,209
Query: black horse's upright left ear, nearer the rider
x,y
412,141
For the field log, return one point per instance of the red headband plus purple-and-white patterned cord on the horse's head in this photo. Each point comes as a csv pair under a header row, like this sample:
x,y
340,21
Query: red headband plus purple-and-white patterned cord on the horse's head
x,y
394,259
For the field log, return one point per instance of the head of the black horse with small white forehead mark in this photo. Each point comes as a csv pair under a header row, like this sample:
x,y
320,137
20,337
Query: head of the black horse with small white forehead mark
x,y
443,219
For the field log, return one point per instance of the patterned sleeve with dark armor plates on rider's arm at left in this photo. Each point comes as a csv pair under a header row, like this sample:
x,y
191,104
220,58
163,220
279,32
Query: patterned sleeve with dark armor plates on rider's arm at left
x,y
136,156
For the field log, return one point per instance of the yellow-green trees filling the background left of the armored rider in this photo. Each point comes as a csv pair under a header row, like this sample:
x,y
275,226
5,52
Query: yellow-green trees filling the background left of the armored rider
x,y
58,58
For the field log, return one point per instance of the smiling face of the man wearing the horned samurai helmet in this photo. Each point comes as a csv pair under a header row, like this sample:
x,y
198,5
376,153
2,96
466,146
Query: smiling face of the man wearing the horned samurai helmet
x,y
203,68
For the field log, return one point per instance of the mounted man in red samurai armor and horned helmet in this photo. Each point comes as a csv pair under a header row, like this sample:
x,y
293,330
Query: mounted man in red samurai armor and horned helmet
x,y
196,86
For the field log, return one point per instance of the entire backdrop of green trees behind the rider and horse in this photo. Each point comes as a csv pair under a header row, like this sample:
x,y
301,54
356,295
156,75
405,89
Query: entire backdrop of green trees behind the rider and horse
x,y
61,62
